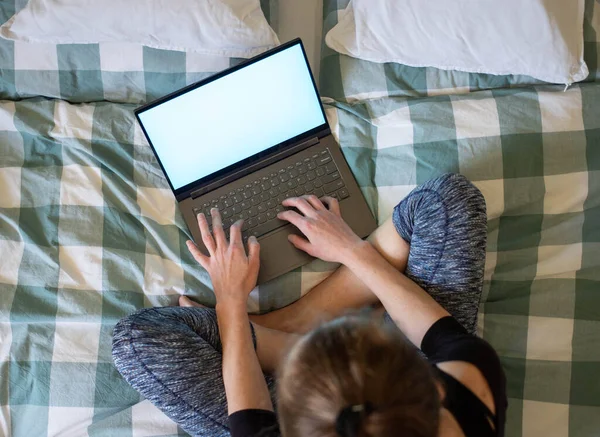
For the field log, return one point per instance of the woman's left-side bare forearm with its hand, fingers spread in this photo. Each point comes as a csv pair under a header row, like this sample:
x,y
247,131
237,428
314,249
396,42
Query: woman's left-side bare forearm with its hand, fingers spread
x,y
234,275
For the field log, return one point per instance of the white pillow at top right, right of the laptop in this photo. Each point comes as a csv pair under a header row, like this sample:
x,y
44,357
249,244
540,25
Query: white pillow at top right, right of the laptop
x,y
538,38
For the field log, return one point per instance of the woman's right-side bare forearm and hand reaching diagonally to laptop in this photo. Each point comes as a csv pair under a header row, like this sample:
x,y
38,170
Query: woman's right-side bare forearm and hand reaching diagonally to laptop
x,y
331,239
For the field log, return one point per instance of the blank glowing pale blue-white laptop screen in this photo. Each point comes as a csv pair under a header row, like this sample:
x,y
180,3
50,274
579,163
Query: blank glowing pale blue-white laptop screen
x,y
234,117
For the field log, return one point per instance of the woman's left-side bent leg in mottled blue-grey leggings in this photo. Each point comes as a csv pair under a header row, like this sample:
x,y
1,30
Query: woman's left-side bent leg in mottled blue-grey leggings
x,y
172,356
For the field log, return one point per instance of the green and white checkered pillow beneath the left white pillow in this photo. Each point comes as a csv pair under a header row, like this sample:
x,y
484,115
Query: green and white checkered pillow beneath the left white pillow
x,y
116,72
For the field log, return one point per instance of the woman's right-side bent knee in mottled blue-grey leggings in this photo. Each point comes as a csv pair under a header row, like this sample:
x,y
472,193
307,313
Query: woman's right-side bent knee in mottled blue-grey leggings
x,y
445,223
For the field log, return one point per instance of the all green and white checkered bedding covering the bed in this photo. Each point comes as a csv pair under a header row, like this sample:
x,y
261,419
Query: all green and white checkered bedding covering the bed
x,y
90,232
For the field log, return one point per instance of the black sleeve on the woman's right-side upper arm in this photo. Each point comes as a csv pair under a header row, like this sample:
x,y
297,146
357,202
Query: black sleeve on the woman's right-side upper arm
x,y
447,340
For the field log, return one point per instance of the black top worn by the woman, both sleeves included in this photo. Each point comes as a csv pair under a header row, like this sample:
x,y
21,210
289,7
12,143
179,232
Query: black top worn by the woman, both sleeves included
x,y
446,340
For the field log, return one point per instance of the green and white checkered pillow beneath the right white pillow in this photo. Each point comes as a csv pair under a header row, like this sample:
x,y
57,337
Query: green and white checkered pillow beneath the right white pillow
x,y
349,79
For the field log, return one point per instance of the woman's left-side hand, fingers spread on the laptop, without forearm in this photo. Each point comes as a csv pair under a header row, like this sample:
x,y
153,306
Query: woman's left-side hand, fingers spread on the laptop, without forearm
x,y
232,272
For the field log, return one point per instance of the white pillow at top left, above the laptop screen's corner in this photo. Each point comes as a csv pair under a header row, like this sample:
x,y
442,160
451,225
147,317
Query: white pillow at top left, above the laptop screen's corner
x,y
233,28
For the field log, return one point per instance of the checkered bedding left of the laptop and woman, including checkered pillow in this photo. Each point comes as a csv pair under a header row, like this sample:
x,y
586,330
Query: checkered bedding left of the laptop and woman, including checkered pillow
x,y
89,230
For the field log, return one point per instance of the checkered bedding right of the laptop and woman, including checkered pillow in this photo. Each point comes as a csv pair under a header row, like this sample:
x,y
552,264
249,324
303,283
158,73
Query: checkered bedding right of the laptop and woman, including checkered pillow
x,y
533,149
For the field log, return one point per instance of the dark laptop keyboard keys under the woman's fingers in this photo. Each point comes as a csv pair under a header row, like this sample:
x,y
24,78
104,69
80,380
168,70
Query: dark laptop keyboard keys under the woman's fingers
x,y
259,202
